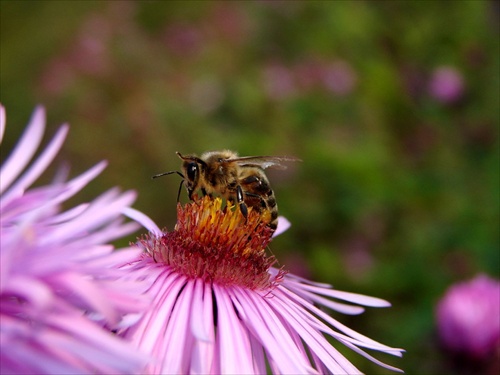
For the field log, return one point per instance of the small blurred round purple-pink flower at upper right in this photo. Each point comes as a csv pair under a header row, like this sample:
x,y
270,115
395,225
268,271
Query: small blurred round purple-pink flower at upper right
x,y
446,85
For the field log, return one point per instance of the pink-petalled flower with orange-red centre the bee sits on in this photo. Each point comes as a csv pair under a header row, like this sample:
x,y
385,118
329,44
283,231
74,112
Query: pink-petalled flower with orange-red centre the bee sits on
x,y
218,305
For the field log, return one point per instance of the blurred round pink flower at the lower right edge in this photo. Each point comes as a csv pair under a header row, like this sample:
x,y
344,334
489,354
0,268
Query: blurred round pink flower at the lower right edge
x,y
468,317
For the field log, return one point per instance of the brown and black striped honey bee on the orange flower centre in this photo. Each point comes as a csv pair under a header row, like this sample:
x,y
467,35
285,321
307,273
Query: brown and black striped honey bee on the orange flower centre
x,y
239,180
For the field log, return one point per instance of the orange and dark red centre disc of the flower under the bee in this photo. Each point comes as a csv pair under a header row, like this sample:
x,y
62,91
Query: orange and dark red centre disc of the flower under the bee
x,y
216,243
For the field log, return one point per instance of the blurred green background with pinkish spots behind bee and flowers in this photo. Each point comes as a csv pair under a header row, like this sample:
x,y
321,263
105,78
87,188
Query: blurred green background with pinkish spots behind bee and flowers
x,y
393,106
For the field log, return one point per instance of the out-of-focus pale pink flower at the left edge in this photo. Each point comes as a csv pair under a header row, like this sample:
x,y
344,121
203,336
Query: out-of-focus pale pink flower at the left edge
x,y
58,282
